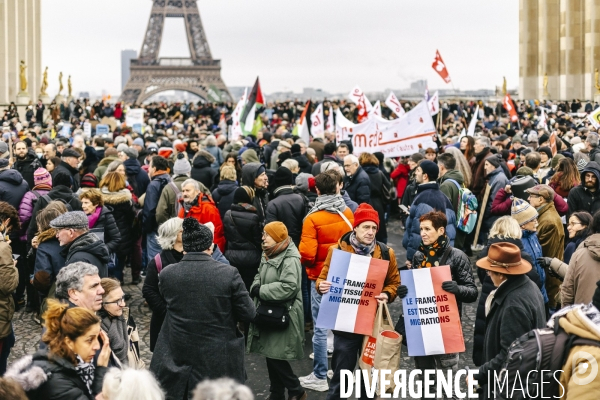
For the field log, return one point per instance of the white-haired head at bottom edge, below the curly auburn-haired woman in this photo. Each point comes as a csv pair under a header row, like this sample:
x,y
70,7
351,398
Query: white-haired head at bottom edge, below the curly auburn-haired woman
x,y
131,384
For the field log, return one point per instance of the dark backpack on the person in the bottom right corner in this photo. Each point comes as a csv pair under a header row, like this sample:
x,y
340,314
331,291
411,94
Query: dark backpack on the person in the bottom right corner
x,y
544,350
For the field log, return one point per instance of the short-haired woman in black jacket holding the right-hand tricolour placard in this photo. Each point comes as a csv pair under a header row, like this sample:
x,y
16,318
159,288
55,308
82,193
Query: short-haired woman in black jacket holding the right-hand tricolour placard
x,y
435,250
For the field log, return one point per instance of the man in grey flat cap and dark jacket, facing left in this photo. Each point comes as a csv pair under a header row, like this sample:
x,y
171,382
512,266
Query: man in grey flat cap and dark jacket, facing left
x,y
78,243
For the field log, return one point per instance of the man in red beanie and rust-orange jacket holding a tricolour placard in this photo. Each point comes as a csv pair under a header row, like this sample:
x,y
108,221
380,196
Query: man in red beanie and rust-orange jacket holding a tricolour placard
x,y
361,240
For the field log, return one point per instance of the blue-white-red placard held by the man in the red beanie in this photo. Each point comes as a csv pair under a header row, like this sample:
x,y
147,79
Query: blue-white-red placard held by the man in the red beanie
x,y
350,304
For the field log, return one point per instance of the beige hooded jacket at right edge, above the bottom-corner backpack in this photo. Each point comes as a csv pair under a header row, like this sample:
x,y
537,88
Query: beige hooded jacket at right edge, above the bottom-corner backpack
x,y
583,273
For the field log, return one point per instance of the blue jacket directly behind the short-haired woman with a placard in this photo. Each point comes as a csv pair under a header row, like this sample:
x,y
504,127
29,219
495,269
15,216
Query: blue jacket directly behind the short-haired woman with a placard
x,y
429,198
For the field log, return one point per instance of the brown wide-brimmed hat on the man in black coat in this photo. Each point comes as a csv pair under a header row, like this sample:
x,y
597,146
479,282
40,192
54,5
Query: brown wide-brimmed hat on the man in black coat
x,y
504,258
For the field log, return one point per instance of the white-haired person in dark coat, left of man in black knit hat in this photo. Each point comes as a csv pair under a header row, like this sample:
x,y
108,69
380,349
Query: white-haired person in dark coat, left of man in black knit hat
x,y
170,240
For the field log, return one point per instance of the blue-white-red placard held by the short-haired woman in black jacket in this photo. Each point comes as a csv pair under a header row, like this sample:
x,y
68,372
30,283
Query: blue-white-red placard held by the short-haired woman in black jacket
x,y
431,315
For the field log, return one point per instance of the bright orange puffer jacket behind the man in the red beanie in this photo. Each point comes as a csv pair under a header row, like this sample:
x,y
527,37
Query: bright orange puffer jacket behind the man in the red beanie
x,y
320,231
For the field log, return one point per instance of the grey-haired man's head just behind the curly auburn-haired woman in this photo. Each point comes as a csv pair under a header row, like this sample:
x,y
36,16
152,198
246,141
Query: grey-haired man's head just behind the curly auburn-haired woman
x,y
79,285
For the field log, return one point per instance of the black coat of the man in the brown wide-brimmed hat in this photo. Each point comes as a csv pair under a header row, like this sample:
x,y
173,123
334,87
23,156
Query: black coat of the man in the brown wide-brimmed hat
x,y
517,308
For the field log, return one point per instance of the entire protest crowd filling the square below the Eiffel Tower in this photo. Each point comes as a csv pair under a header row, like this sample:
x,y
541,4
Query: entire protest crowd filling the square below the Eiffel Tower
x,y
260,227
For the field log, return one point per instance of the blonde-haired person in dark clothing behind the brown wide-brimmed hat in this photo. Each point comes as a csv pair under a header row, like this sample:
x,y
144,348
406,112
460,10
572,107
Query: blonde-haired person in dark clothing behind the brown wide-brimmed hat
x,y
505,229
